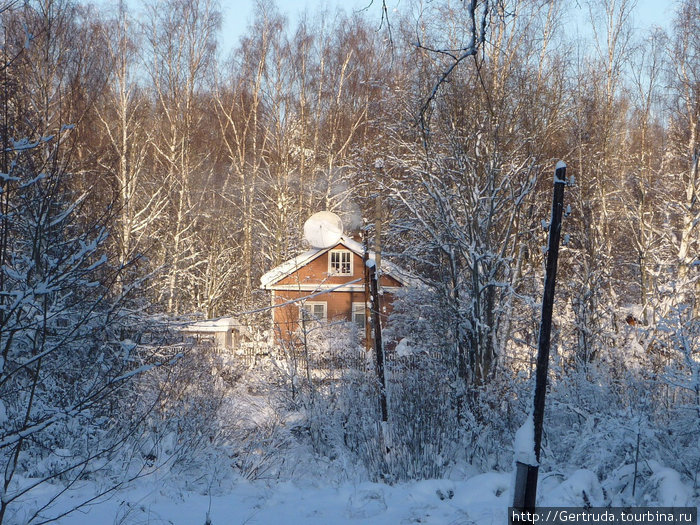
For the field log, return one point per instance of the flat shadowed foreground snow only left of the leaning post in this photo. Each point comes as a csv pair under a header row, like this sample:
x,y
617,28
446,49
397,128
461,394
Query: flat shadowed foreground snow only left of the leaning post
x,y
482,499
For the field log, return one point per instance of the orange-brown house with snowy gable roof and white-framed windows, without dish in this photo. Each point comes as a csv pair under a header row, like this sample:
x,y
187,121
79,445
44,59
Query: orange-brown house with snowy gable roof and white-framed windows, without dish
x,y
327,285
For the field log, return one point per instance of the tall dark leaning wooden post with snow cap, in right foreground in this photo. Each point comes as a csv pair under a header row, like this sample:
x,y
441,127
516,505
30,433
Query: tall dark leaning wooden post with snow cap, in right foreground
x,y
525,492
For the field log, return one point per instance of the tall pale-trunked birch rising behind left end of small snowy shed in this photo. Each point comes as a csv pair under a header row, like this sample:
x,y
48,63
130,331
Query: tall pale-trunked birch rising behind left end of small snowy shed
x,y
181,37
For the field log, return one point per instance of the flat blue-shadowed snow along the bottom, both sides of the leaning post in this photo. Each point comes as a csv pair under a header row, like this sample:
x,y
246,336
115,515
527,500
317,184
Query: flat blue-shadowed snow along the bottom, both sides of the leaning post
x,y
482,499
